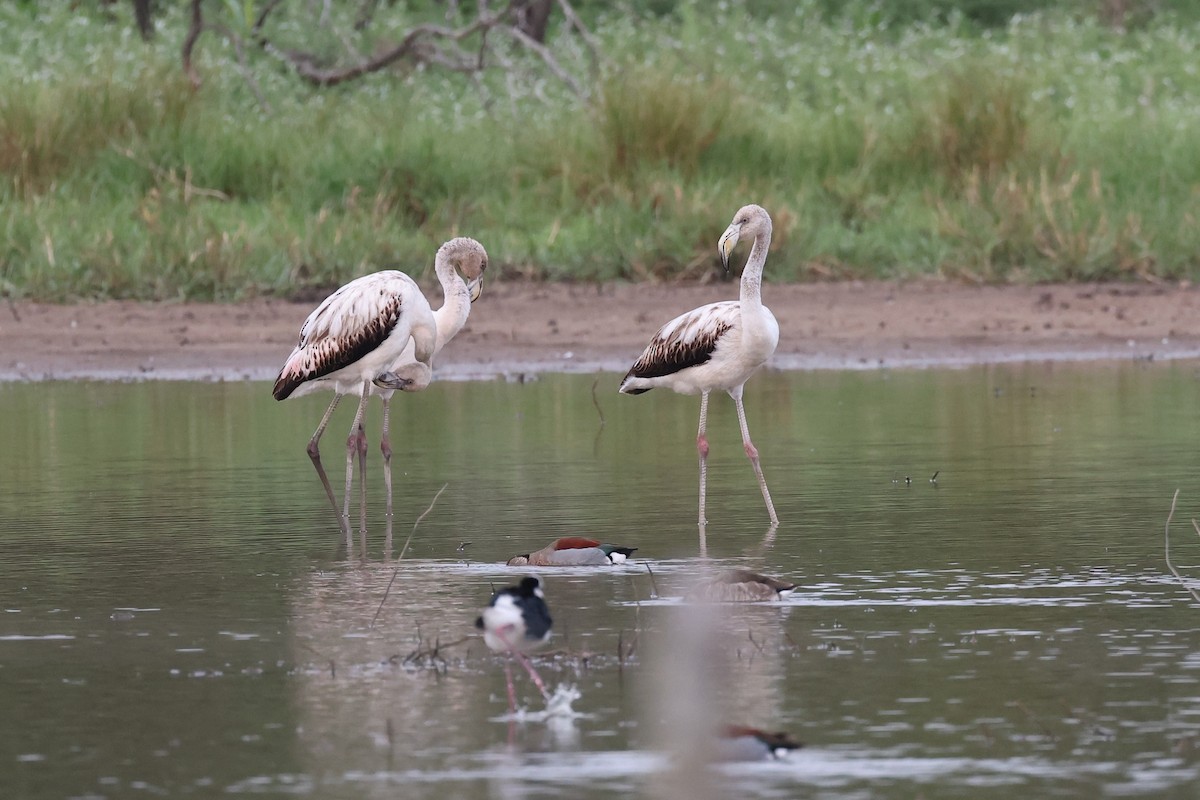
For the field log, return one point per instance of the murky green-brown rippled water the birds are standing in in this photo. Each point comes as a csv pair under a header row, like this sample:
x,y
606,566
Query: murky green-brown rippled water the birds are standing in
x,y
178,615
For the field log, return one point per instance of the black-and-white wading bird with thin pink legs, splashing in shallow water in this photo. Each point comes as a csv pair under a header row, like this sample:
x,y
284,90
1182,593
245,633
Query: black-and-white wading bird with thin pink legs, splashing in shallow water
x,y
518,622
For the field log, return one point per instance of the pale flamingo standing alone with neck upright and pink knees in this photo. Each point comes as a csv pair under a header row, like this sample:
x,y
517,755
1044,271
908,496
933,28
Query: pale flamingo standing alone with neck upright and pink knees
x,y
718,346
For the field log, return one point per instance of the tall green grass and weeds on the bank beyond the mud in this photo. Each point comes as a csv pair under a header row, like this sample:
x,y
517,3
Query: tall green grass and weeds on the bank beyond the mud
x,y
1051,147
